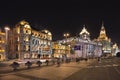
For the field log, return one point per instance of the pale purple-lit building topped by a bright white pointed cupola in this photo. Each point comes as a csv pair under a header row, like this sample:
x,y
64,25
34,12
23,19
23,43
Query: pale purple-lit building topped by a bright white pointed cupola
x,y
82,45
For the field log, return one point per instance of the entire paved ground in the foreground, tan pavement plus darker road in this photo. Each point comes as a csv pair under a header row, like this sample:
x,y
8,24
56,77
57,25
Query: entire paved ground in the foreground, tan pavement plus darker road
x,y
107,69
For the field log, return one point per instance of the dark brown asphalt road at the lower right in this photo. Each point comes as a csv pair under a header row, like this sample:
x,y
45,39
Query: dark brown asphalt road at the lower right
x,y
107,69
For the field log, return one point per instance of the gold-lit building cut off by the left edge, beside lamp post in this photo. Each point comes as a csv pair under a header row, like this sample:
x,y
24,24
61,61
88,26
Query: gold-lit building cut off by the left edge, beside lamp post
x,y
2,46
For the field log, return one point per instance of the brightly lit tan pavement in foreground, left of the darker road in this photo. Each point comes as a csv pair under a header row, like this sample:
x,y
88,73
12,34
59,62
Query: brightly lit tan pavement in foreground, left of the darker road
x,y
46,73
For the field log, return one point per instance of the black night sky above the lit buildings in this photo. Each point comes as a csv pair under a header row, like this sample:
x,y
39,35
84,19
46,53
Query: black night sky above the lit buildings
x,y
67,16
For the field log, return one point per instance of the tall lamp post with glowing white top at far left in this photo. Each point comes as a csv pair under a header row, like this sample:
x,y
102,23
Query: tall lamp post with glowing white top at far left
x,y
6,43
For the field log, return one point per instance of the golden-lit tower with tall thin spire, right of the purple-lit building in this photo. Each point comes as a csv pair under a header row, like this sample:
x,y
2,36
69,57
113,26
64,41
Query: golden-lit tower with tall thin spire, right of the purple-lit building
x,y
106,42
